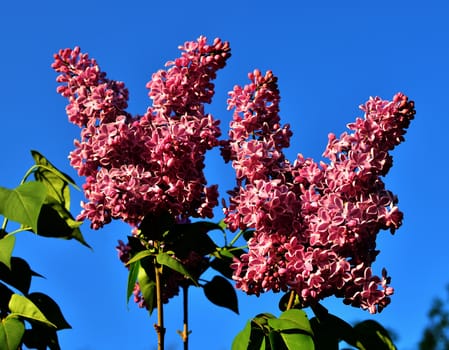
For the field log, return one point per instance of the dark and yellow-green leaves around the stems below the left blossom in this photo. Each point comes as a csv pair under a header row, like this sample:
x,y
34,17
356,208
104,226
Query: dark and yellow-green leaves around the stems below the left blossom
x,y
171,254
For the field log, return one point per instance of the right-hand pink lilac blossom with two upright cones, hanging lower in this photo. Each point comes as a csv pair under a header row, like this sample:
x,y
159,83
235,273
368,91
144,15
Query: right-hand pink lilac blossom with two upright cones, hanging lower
x,y
315,225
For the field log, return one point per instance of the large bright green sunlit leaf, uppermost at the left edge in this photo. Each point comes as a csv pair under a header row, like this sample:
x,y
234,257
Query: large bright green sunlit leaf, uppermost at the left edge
x,y
23,203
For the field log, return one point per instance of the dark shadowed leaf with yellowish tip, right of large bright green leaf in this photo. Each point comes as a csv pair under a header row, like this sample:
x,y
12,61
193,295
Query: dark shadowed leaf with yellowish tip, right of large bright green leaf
x,y
55,221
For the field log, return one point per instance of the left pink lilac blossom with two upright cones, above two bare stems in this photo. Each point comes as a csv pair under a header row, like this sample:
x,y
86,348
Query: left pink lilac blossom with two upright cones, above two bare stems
x,y
143,164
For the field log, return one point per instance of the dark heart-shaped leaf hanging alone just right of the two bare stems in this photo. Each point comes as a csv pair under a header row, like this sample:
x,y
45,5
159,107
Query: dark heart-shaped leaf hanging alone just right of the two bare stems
x,y
221,292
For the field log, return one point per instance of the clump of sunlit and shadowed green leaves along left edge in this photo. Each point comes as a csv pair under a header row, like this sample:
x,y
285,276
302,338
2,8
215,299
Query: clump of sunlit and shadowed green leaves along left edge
x,y
41,206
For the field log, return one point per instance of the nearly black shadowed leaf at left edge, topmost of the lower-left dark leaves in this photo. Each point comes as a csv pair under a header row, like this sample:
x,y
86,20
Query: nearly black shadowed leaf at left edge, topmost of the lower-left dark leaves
x,y
19,276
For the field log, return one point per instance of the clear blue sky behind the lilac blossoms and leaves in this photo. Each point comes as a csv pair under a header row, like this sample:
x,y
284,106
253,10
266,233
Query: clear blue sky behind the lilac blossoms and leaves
x,y
330,56
